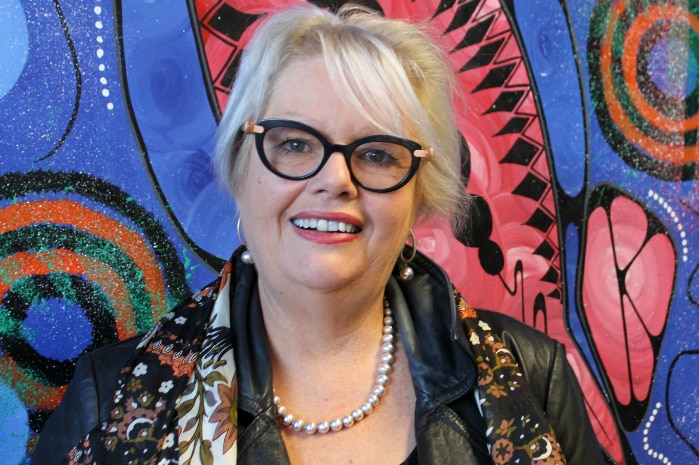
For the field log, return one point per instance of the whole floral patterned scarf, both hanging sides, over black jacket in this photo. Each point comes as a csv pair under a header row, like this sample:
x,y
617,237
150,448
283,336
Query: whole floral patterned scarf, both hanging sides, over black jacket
x,y
177,397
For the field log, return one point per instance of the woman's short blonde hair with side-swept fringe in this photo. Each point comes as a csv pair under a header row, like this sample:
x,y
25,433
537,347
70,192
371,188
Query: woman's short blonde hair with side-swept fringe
x,y
406,88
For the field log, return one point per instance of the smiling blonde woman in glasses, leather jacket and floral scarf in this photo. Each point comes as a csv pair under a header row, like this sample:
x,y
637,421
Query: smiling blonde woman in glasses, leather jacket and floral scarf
x,y
326,340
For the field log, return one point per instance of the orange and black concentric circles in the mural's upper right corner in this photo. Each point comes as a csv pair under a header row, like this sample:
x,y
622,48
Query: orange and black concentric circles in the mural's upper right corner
x,y
643,60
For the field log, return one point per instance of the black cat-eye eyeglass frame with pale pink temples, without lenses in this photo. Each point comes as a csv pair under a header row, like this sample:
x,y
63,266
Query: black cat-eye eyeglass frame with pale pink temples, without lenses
x,y
258,130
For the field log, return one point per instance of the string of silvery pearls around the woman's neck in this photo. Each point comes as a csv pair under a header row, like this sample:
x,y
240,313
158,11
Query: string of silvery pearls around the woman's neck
x,y
372,400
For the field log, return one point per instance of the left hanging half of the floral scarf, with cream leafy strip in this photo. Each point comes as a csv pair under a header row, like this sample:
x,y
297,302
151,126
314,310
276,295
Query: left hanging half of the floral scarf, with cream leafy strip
x,y
177,398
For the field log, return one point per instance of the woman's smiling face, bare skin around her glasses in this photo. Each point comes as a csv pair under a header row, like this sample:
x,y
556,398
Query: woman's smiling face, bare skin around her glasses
x,y
289,253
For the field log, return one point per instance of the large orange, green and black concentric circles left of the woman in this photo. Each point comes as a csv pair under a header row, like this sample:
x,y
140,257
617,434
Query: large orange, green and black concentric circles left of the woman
x,y
83,265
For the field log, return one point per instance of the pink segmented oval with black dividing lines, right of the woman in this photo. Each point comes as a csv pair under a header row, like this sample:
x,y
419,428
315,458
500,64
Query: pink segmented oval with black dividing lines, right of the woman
x,y
623,319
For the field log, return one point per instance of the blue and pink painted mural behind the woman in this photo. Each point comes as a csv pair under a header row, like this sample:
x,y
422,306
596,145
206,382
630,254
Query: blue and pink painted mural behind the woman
x,y
581,124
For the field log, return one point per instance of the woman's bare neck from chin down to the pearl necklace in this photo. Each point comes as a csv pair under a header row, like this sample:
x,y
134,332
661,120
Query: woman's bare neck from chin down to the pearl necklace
x,y
325,353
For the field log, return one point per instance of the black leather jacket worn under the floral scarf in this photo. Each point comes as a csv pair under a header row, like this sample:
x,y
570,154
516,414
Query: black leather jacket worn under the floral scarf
x,y
448,426
